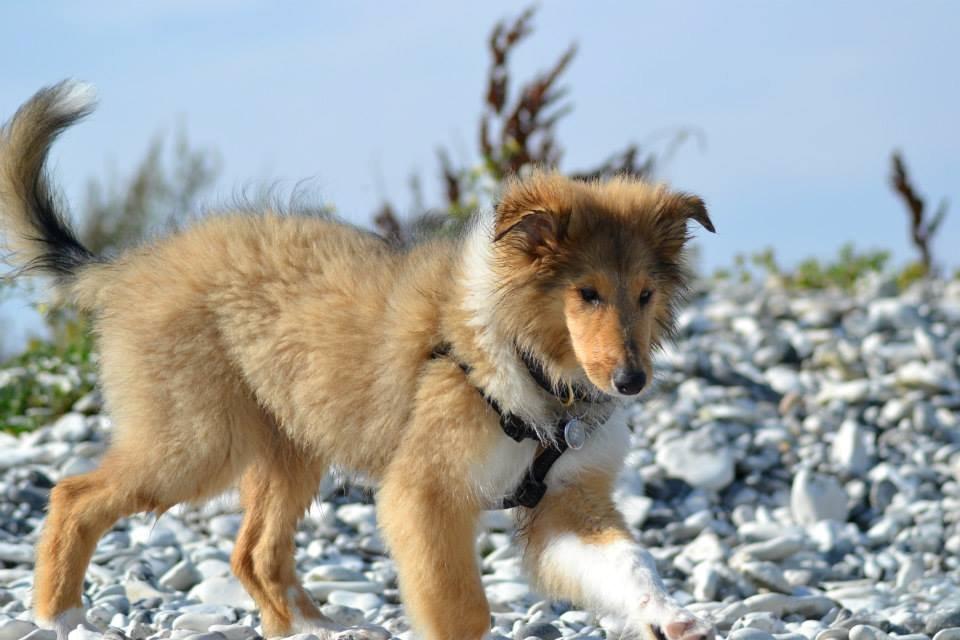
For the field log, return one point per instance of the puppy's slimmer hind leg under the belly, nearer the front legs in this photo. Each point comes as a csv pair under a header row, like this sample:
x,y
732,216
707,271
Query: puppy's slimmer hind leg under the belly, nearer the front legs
x,y
276,491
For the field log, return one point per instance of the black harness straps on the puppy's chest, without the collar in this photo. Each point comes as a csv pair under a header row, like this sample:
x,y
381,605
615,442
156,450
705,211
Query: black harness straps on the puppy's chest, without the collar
x,y
533,486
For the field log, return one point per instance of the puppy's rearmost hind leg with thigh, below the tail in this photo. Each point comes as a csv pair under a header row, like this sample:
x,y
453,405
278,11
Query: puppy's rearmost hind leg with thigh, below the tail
x,y
176,453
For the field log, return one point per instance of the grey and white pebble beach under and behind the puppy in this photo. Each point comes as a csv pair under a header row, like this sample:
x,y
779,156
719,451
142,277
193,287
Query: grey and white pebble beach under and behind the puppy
x,y
794,471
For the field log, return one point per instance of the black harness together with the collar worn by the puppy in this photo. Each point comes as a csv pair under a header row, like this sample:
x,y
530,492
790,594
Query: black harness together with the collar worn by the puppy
x,y
533,486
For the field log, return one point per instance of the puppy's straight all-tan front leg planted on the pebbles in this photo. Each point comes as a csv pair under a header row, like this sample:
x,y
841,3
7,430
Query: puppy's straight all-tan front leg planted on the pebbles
x,y
430,531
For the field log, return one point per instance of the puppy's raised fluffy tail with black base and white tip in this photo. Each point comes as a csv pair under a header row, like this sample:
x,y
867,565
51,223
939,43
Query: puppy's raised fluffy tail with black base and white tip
x,y
31,212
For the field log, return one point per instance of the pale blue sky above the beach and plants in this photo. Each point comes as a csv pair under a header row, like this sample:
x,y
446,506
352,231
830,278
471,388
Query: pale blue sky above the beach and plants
x,y
800,103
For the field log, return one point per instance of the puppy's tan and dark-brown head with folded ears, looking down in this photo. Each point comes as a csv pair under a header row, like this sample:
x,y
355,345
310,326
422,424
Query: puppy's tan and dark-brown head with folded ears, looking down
x,y
591,272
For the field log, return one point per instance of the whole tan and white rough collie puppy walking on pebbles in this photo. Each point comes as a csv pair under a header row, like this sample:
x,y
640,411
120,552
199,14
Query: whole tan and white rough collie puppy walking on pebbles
x,y
461,375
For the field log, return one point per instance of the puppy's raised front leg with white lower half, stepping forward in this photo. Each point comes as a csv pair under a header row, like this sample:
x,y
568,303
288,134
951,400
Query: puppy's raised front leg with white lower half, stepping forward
x,y
579,549
